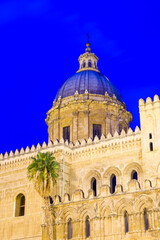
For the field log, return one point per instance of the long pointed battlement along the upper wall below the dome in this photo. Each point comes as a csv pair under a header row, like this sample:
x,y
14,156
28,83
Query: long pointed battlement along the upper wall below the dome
x,y
117,141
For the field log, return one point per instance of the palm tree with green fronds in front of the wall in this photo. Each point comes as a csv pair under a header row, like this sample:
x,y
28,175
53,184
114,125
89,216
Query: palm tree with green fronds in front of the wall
x,y
43,172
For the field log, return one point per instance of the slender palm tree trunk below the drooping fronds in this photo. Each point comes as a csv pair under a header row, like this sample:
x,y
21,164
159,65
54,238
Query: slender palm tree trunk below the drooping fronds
x,y
48,217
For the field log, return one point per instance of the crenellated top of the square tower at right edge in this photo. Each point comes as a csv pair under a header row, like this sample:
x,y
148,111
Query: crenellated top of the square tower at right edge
x,y
149,102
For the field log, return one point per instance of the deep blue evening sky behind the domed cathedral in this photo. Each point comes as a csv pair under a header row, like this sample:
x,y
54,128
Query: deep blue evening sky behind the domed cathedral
x,y
40,42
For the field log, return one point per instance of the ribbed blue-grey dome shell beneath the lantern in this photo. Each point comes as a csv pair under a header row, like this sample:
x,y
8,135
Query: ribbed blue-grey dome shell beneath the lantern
x,y
92,81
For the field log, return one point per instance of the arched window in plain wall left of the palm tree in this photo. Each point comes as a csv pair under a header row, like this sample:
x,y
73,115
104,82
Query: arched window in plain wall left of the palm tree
x,y
20,205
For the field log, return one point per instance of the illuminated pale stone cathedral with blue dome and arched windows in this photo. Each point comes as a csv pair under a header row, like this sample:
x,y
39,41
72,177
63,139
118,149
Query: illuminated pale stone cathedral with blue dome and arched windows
x,y
109,184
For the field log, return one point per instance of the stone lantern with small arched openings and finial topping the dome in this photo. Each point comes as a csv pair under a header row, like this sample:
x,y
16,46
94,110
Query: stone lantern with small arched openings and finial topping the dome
x,y
88,60
